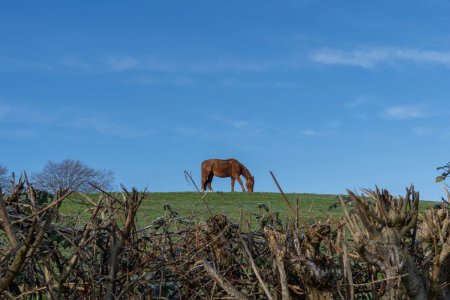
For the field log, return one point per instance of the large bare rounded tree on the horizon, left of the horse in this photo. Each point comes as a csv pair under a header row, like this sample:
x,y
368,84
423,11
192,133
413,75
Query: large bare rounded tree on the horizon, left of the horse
x,y
72,175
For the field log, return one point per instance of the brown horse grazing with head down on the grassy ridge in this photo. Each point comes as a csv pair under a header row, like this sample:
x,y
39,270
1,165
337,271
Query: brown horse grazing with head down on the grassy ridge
x,y
226,168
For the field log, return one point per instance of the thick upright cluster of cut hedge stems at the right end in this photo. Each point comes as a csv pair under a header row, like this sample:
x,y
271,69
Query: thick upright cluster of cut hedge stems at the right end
x,y
384,230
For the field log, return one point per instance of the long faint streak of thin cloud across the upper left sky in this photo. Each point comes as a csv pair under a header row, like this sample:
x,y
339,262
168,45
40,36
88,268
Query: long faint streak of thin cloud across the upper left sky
x,y
127,63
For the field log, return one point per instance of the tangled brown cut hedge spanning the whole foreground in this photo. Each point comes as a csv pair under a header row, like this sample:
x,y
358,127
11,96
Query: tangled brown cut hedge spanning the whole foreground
x,y
378,250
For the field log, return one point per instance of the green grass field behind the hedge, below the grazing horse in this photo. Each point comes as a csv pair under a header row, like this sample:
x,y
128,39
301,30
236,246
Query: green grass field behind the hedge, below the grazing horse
x,y
312,207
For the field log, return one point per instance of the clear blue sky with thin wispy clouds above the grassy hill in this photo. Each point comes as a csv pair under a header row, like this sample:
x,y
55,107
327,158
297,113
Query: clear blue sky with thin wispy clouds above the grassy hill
x,y
329,95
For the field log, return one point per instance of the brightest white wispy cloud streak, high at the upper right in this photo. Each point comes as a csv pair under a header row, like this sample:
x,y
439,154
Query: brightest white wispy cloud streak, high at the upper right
x,y
370,58
